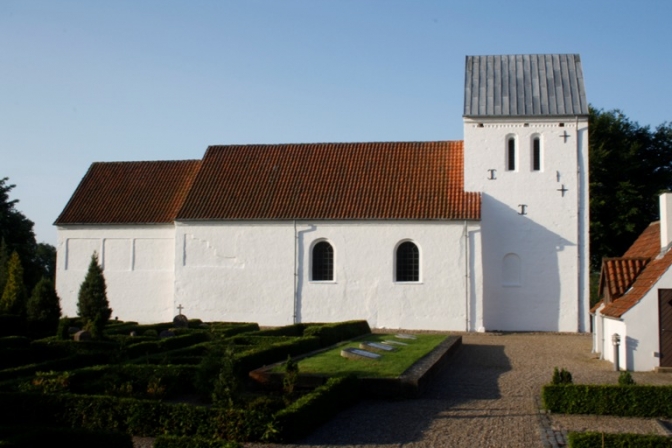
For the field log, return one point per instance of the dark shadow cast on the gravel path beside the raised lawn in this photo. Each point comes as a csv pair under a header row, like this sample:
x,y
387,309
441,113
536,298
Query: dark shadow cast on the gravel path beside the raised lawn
x,y
471,374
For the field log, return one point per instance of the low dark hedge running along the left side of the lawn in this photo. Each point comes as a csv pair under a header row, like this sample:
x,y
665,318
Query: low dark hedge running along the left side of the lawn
x,y
263,356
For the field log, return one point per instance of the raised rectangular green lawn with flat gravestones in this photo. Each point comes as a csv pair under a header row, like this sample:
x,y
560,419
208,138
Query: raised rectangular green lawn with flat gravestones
x,y
391,365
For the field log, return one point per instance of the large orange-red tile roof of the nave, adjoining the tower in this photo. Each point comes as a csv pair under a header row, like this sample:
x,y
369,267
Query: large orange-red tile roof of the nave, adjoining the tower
x,y
413,180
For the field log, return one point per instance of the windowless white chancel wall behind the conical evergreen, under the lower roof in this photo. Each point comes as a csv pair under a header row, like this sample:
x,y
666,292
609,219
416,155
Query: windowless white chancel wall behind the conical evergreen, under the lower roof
x,y
137,263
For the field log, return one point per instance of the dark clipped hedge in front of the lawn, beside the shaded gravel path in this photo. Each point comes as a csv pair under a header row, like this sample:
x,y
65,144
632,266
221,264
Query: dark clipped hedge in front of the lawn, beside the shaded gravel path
x,y
316,408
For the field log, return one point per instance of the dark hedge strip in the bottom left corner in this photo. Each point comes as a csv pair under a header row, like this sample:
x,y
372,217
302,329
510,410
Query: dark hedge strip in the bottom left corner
x,y
31,436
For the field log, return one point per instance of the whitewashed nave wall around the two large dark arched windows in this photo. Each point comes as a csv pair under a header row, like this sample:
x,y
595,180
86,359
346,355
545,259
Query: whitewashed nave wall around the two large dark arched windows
x,y
241,271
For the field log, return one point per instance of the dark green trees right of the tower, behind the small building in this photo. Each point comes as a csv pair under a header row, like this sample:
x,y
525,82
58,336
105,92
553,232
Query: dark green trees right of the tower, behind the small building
x,y
630,165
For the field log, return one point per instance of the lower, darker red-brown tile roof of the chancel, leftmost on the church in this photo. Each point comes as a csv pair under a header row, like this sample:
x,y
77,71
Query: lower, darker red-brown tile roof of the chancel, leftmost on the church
x,y
130,192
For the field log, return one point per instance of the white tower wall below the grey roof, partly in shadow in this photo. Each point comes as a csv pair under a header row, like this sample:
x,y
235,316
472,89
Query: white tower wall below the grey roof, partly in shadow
x,y
535,266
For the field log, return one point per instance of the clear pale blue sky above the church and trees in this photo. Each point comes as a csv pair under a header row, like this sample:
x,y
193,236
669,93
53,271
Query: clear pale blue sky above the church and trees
x,y
85,81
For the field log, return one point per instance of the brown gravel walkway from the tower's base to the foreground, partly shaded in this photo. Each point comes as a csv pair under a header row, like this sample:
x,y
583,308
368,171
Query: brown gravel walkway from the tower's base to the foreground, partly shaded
x,y
488,396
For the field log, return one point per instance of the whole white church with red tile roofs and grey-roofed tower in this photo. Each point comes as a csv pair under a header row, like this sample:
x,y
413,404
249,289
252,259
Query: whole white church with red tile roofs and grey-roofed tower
x,y
488,233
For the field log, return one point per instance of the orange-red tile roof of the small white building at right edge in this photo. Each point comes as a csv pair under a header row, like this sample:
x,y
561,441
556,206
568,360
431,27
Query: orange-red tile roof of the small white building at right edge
x,y
648,244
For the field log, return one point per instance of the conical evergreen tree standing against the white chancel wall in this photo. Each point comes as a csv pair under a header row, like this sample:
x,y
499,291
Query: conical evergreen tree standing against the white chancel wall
x,y
92,304
